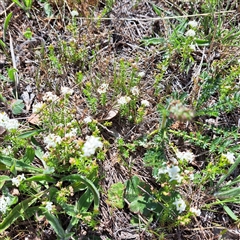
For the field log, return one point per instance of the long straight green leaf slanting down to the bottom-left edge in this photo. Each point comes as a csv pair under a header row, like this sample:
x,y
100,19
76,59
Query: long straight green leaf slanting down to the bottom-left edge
x,y
17,211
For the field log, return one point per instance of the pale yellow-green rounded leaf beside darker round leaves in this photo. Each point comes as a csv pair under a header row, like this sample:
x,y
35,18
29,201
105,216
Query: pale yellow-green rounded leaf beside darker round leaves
x,y
115,195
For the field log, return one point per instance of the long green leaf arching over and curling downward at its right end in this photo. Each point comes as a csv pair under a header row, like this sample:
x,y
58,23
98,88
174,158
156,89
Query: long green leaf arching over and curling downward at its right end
x,y
89,184
